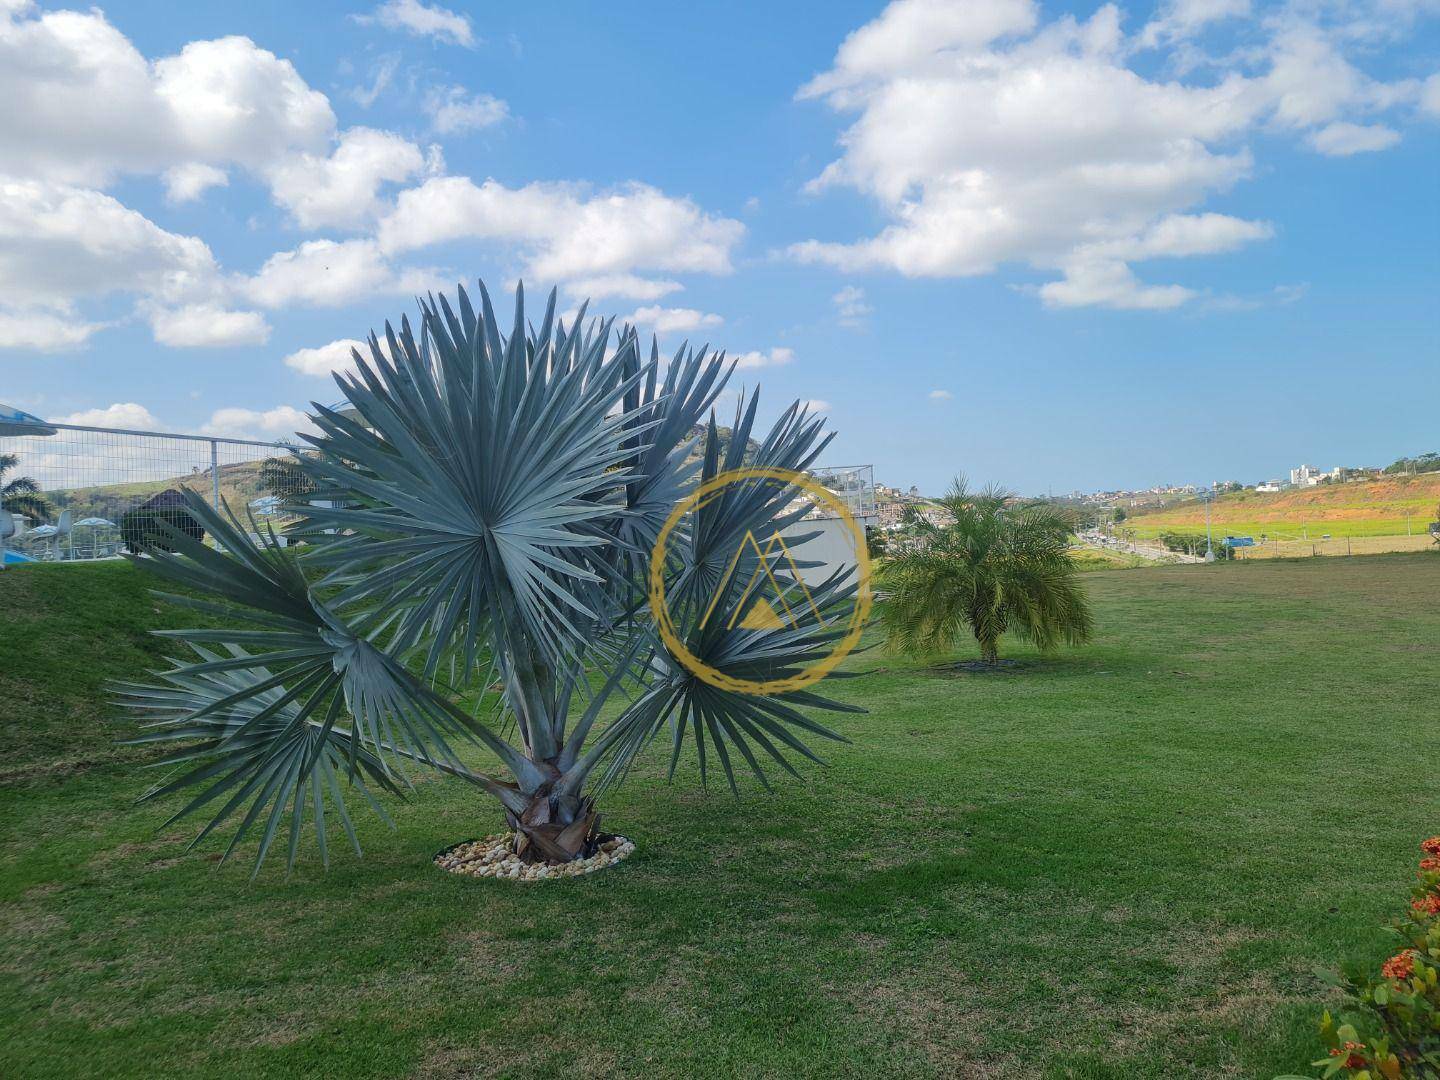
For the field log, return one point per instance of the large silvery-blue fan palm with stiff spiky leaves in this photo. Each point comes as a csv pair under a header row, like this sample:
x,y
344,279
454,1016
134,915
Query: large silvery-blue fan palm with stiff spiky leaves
x,y
485,515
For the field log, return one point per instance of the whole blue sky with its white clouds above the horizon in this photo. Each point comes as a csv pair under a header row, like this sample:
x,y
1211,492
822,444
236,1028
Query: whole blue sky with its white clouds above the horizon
x,y
1053,247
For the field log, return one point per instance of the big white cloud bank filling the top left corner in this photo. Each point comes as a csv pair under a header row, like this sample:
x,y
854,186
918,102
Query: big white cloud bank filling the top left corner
x,y
86,107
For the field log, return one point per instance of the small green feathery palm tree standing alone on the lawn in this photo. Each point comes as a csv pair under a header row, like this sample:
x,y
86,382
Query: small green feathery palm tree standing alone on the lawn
x,y
994,568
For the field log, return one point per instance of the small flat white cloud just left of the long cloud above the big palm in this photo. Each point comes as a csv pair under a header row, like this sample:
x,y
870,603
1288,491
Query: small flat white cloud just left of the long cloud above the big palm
x,y
330,274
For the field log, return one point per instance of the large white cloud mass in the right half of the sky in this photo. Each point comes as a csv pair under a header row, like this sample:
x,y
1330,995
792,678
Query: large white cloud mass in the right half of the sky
x,y
991,138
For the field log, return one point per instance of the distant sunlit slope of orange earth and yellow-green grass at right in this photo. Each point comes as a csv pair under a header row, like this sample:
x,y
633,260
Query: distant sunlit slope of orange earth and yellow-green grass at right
x,y
1370,509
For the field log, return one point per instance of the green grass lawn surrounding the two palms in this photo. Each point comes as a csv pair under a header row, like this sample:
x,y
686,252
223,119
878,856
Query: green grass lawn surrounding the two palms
x,y
1122,862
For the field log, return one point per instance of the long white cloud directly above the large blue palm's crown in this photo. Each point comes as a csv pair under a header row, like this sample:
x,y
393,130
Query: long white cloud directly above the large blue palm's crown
x,y
567,231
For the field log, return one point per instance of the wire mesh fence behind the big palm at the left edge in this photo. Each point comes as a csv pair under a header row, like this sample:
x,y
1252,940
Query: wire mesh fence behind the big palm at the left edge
x,y
96,493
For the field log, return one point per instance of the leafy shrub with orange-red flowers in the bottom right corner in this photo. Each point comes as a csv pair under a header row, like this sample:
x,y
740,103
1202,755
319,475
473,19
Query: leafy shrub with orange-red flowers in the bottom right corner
x,y
1402,1007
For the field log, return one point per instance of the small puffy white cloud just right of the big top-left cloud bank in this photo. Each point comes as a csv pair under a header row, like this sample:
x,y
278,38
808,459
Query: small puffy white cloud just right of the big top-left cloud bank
x,y
342,189
